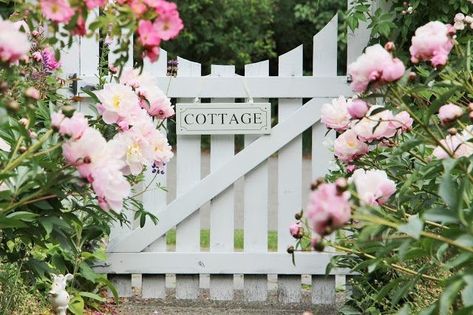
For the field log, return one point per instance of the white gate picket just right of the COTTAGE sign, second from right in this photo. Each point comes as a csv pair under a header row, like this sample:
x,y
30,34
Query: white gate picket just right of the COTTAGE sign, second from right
x,y
289,177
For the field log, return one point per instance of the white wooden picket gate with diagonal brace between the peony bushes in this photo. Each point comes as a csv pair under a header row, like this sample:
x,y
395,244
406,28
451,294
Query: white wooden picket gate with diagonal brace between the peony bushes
x,y
143,251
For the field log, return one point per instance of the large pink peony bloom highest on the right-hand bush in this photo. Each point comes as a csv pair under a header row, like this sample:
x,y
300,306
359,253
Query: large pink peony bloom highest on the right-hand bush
x,y
432,42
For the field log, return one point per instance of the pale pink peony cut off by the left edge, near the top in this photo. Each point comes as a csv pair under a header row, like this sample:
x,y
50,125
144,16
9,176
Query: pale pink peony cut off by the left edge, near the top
x,y
14,44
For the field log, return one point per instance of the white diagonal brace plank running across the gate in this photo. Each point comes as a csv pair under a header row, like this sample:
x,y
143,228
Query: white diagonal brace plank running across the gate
x,y
213,184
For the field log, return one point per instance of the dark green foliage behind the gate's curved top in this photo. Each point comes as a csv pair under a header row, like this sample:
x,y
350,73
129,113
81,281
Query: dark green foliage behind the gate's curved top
x,y
244,31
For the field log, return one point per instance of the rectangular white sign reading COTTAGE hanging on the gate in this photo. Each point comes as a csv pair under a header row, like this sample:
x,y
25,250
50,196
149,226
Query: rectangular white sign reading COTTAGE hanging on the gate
x,y
223,118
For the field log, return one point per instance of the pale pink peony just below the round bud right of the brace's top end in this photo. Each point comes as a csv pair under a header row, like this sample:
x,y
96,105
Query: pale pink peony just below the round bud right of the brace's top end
x,y
348,147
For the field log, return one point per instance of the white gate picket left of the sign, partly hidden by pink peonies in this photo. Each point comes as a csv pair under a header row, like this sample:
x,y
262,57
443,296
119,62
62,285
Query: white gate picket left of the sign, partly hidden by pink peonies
x,y
154,200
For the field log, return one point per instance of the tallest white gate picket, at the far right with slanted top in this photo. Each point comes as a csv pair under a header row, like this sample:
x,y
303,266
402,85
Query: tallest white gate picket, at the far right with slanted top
x,y
324,64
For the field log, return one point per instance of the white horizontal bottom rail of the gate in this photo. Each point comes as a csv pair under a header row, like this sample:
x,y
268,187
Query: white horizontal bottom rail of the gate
x,y
218,263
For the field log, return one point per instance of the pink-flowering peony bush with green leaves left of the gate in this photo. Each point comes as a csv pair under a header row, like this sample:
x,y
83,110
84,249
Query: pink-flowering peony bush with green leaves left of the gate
x,y
66,177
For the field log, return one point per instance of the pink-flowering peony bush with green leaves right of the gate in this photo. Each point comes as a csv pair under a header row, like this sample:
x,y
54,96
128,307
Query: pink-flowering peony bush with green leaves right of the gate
x,y
401,196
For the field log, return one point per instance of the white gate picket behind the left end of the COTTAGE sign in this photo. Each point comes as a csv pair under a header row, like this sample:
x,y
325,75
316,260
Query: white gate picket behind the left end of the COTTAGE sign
x,y
188,174
